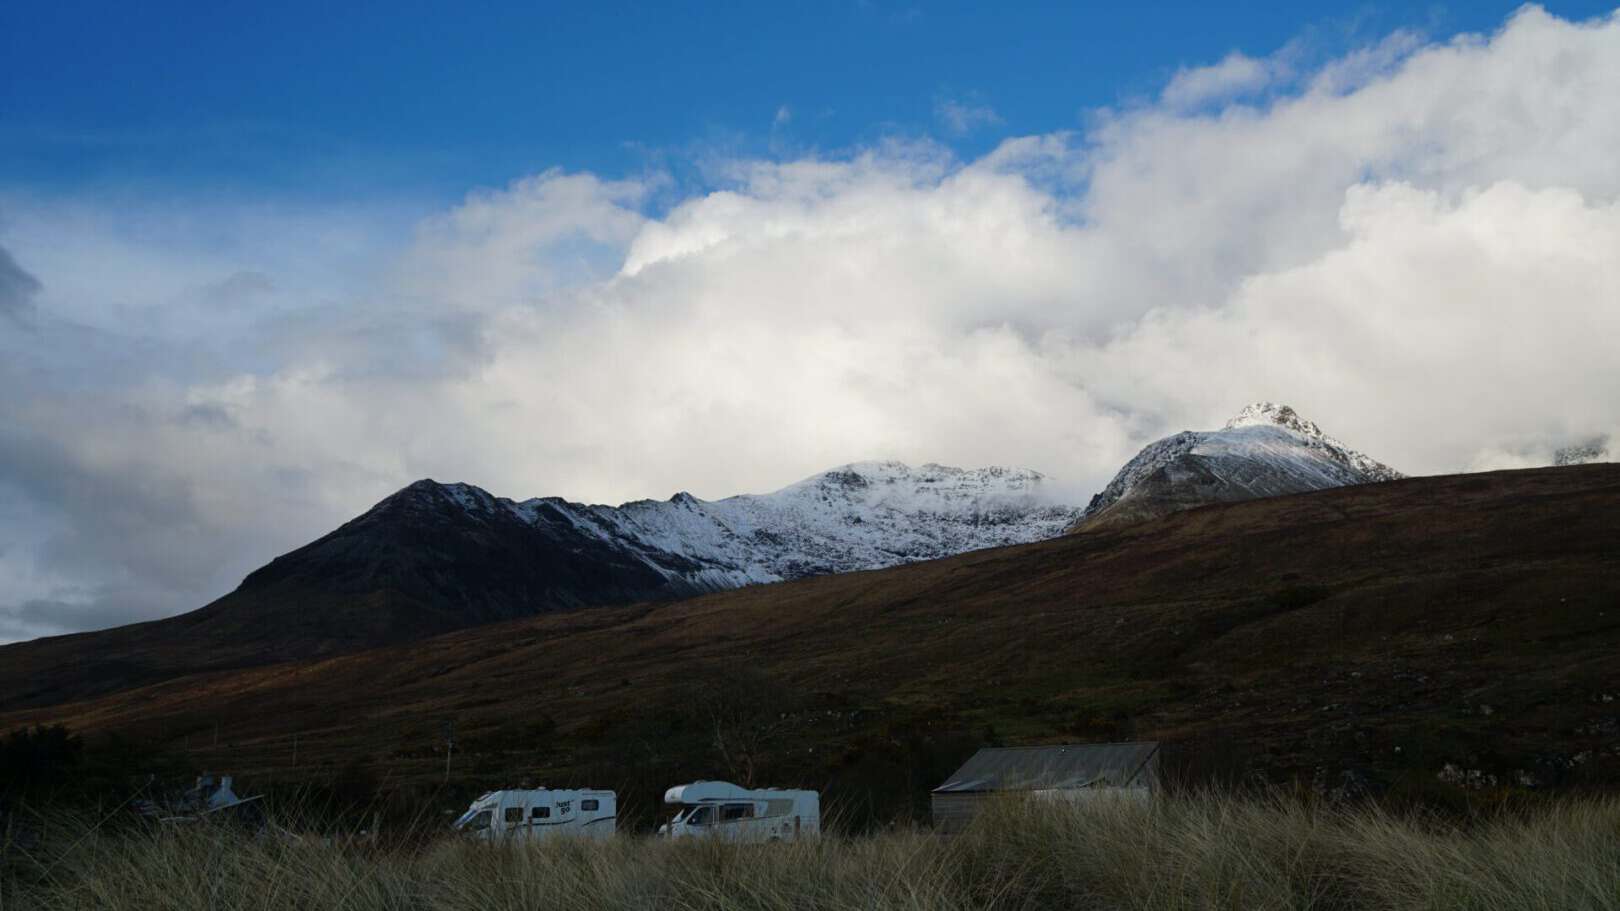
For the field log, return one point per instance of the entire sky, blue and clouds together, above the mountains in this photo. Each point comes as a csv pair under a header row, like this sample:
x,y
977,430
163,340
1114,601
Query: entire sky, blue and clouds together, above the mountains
x,y
260,268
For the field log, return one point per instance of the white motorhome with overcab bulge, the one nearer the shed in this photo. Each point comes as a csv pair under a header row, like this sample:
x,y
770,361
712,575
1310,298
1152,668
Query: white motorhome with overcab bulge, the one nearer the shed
x,y
717,810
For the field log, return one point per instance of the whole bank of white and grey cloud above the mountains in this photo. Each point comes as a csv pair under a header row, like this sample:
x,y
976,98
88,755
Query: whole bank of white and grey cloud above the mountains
x,y
1418,246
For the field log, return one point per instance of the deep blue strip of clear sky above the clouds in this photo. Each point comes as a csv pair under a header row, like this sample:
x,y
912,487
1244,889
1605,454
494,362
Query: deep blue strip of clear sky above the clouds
x,y
428,100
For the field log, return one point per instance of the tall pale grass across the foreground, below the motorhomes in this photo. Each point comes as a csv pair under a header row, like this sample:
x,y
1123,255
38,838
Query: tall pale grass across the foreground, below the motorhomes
x,y
1208,852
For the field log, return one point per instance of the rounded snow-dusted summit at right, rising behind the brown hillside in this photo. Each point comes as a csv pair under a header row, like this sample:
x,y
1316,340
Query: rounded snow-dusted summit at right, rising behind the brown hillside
x,y
1264,451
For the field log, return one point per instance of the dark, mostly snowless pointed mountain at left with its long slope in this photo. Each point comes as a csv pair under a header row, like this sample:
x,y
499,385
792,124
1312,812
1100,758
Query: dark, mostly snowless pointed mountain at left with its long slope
x,y
417,565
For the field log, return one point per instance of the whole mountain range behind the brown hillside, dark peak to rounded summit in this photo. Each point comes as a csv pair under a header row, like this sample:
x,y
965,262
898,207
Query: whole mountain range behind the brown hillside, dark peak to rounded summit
x,y
441,557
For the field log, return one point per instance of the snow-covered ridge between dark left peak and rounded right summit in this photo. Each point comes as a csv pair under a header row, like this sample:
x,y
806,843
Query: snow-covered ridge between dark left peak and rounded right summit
x,y
858,516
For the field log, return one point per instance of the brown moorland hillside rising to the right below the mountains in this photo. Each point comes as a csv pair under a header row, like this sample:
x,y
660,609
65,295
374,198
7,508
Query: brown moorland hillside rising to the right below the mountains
x,y
1368,636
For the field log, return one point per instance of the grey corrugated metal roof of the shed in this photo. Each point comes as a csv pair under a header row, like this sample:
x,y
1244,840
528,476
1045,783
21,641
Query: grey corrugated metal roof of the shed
x,y
1036,769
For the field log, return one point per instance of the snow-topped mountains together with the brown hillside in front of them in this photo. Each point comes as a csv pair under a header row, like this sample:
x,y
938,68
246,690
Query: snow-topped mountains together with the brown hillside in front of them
x,y
1258,596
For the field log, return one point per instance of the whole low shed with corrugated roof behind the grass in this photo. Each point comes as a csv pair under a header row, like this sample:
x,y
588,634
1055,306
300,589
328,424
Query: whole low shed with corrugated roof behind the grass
x,y
1070,771
